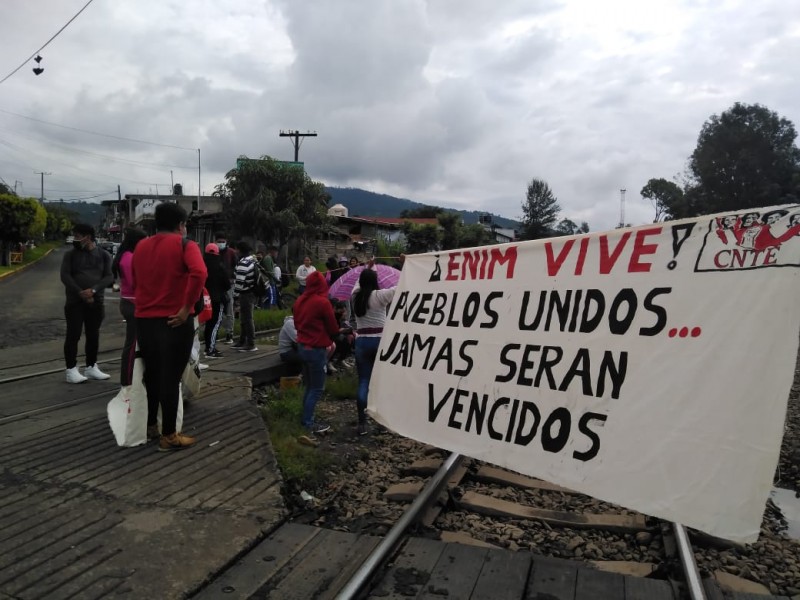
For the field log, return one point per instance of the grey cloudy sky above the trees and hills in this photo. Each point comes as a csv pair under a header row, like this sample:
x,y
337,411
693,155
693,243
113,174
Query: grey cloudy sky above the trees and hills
x,y
452,102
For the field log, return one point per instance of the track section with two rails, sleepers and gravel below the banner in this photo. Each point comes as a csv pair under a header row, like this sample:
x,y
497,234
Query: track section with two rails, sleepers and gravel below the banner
x,y
475,498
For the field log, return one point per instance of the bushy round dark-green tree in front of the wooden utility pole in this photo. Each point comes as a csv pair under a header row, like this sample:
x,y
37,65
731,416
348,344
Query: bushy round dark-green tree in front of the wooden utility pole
x,y
270,200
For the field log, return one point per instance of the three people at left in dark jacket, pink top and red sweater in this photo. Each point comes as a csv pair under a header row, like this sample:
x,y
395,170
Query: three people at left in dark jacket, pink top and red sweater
x,y
161,279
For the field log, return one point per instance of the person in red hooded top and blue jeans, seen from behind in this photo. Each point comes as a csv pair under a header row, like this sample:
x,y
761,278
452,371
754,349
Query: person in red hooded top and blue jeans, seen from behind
x,y
316,327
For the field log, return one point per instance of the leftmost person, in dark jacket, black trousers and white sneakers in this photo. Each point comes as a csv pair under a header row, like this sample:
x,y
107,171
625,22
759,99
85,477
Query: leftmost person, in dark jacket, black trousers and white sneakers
x,y
85,273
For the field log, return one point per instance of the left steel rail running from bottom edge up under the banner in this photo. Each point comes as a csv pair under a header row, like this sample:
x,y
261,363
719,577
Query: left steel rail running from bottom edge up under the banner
x,y
384,549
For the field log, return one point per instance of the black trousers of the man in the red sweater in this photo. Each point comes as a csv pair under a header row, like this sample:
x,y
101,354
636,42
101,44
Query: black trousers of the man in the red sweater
x,y
165,351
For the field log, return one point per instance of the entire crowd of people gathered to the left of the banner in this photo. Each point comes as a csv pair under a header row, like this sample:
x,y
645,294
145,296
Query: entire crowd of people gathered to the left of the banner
x,y
162,280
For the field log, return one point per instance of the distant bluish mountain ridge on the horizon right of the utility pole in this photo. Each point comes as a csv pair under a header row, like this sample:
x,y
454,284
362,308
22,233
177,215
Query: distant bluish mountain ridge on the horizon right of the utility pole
x,y
369,204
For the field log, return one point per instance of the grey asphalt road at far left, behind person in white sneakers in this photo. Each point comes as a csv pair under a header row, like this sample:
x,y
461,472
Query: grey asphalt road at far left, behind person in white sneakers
x,y
32,305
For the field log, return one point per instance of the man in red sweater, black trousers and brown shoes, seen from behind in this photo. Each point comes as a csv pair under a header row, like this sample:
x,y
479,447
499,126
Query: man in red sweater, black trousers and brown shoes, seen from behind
x,y
169,275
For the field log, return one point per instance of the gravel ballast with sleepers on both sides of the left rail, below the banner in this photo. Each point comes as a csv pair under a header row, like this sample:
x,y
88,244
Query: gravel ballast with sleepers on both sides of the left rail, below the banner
x,y
380,475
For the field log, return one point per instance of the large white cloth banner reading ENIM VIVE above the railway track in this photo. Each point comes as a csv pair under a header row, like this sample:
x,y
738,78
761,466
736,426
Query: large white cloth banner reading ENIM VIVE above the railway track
x,y
649,366
